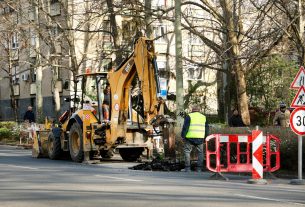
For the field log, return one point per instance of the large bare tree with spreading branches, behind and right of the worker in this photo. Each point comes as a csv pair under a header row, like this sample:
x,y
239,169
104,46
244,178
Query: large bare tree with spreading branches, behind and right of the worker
x,y
230,30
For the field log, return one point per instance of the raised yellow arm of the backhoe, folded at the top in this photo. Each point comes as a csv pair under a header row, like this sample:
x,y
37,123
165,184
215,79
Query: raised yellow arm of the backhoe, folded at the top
x,y
143,63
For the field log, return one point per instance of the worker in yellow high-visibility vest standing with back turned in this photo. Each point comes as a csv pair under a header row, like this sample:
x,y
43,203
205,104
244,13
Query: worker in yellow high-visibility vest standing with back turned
x,y
195,129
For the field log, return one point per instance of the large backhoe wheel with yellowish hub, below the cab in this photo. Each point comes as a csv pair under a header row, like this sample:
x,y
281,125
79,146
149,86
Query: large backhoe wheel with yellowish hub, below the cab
x,y
76,143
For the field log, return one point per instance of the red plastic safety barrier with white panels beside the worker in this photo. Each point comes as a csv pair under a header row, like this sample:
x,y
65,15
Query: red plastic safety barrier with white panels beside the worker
x,y
233,153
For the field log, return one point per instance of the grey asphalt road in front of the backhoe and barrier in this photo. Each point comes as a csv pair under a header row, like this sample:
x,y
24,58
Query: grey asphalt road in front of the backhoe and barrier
x,y
29,182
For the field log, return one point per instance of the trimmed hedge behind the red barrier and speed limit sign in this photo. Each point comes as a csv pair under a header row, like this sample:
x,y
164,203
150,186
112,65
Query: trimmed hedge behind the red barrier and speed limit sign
x,y
288,146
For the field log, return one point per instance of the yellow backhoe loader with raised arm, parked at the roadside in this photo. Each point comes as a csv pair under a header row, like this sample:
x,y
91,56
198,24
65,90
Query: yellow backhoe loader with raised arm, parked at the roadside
x,y
133,120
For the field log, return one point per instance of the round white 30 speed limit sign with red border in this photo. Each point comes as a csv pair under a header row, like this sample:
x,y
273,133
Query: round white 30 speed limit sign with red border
x,y
297,121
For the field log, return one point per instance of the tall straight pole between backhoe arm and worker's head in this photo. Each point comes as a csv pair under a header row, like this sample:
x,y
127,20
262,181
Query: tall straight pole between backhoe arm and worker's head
x,y
179,71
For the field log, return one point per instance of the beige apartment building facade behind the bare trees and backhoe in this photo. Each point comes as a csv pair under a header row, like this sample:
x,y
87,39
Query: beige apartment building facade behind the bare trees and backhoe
x,y
49,49
